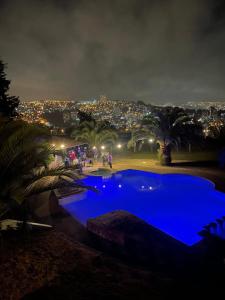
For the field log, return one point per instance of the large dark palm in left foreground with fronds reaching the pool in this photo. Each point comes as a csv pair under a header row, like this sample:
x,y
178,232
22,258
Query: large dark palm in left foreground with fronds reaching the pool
x,y
24,159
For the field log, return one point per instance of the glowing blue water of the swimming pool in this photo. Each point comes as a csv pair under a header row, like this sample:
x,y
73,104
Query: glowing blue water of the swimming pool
x,y
177,204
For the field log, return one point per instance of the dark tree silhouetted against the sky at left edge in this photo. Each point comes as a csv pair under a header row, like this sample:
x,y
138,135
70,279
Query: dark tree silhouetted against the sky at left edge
x,y
8,104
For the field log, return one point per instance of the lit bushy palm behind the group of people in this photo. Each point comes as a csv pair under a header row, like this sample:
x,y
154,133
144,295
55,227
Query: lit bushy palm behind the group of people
x,y
94,134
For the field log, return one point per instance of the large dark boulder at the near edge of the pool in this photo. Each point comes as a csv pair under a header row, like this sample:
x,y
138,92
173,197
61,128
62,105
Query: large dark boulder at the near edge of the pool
x,y
135,238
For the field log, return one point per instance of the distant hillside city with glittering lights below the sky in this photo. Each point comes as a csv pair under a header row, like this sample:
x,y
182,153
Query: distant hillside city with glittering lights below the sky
x,y
122,114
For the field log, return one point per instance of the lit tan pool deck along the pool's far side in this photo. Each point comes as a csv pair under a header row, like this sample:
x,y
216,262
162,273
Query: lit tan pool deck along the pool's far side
x,y
209,171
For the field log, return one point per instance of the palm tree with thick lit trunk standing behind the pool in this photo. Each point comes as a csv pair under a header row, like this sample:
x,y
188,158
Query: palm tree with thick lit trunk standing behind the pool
x,y
165,125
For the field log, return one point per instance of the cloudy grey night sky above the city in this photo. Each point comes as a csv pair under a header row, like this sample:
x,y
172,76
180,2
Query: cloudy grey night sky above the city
x,y
158,51
